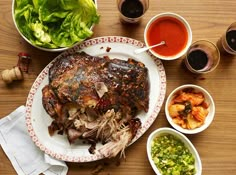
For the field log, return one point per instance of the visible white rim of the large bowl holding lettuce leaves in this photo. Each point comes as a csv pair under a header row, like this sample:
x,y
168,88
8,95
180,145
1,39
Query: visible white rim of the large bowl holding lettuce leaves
x,y
58,49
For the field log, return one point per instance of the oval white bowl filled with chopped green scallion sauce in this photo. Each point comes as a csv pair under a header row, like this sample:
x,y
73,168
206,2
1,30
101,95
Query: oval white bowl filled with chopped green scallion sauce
x,y
171,152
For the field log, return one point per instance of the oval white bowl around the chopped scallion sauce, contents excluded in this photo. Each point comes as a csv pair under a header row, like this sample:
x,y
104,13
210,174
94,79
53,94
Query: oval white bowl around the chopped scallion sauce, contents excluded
x,y
183,138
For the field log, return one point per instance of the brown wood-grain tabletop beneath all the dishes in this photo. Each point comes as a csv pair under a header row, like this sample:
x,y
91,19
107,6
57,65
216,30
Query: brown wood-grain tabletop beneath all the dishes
x,y
208,20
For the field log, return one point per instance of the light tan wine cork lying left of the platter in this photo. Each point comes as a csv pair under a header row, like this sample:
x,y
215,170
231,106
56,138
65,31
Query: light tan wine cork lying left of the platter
x,y
10,75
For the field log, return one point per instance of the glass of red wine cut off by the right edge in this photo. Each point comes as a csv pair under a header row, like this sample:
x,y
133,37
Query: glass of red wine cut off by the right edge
x,y
227,43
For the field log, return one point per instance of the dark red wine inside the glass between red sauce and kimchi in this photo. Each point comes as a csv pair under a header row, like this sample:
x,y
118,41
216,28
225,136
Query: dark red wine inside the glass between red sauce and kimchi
x,y
198,59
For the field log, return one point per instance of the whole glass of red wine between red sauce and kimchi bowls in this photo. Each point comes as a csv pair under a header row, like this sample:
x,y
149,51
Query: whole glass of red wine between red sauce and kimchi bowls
x,y
202,56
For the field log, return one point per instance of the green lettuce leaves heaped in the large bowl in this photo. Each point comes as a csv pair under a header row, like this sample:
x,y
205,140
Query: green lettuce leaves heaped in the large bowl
x,y
55,23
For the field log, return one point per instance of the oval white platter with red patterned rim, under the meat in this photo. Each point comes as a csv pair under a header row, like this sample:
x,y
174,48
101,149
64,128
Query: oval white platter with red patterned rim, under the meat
x,y
38,120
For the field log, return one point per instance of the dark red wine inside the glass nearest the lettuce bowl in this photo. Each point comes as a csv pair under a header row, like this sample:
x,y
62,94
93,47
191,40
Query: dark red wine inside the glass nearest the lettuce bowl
x,y
132,8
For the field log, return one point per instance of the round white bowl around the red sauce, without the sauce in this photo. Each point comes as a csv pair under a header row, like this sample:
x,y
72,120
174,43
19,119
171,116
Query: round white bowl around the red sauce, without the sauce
x,y
181,20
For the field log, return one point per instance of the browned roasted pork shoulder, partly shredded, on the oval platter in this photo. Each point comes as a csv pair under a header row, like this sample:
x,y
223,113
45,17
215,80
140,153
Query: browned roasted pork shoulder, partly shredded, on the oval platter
x,y
96,99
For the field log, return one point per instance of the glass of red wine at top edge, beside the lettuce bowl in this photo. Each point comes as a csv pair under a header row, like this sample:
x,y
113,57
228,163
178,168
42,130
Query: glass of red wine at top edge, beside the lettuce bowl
x,y
131,11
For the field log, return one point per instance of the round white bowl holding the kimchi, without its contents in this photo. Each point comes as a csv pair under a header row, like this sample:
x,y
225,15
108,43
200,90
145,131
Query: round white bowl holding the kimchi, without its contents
x,y
208,100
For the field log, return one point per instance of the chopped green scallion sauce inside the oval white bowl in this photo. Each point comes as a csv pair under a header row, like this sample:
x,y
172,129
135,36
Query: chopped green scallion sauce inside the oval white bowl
x,y
171,156
